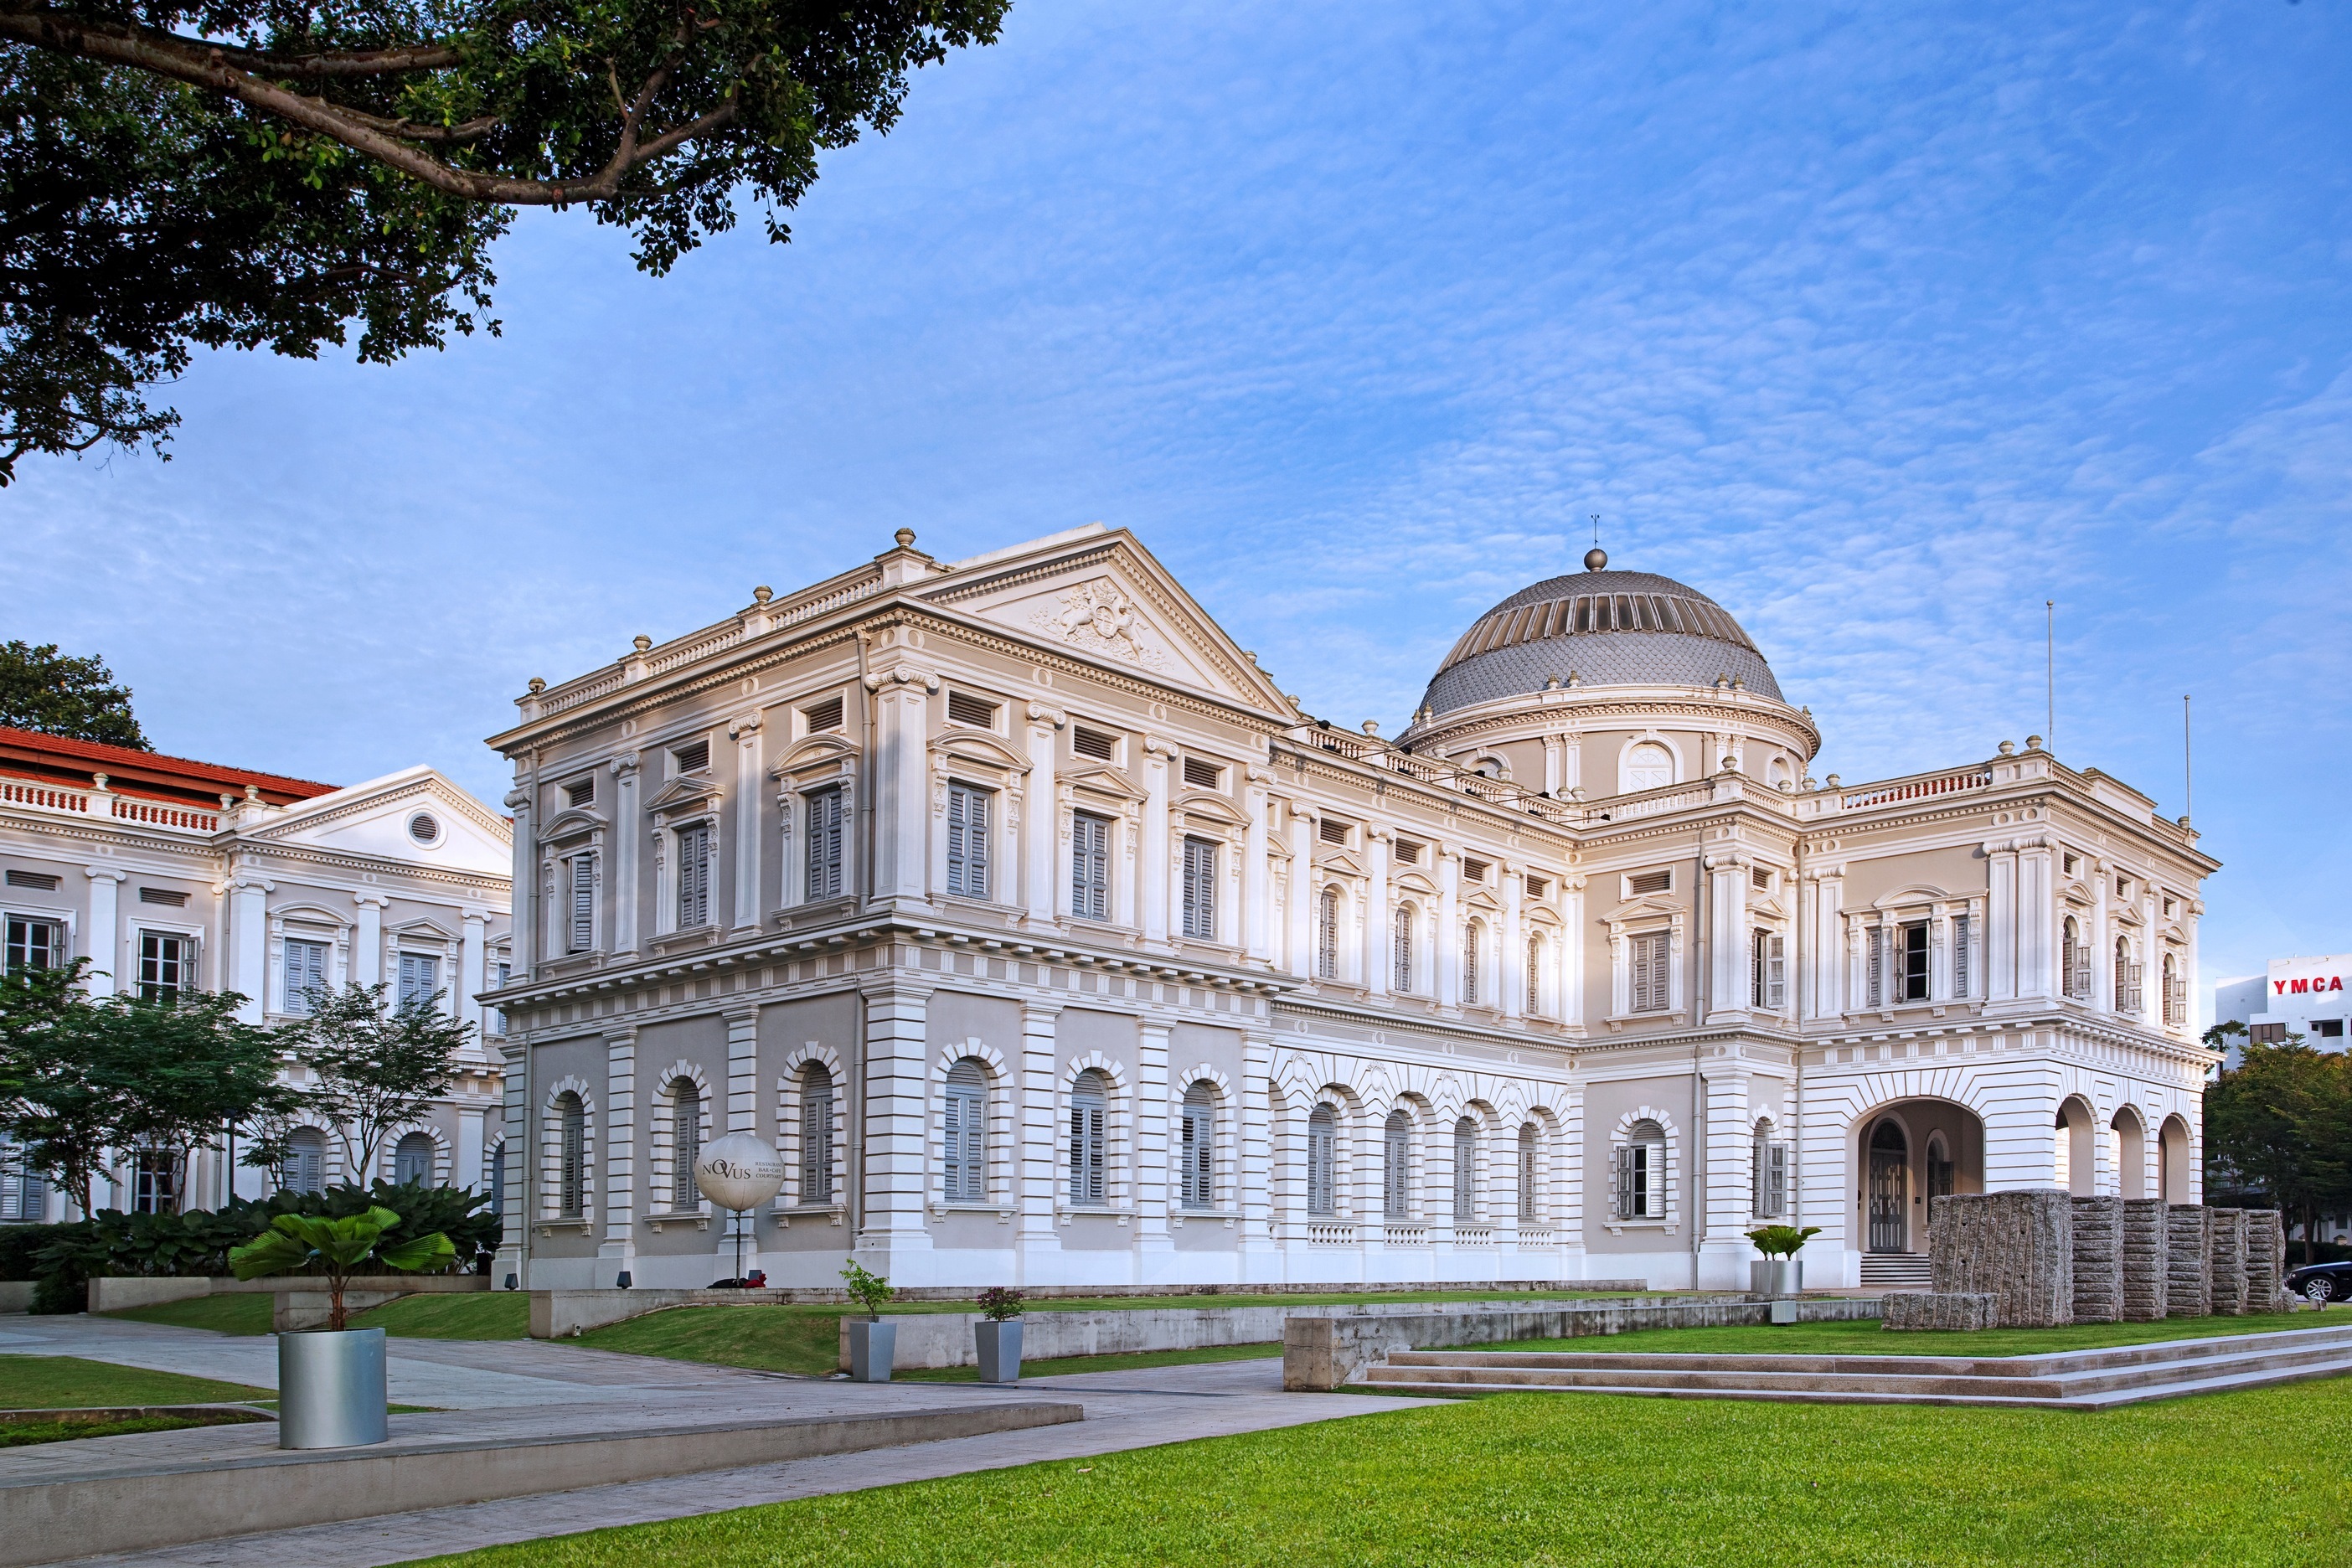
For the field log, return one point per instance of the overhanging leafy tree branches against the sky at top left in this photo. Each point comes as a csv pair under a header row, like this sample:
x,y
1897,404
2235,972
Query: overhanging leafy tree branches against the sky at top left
x,y
253,173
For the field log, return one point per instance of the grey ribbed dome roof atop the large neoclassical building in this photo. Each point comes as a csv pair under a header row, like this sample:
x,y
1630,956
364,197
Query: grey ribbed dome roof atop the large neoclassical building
x,y
1610,629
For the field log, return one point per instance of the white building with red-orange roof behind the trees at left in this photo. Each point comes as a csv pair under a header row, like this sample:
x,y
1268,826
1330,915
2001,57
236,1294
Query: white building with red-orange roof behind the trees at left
x,y
171,873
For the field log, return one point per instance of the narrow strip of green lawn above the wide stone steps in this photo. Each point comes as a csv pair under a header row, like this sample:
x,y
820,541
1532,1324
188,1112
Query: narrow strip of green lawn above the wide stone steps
x,y
1869,1339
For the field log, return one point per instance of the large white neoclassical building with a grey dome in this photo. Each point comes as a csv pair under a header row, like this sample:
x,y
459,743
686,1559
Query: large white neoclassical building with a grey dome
x,y
1053,944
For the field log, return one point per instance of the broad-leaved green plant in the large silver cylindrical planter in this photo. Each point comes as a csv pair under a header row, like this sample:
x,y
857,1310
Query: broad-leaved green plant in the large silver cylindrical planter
x,y
330,1381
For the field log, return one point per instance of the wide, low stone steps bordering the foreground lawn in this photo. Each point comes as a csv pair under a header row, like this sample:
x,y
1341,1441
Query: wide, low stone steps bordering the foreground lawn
x,y
2071,1381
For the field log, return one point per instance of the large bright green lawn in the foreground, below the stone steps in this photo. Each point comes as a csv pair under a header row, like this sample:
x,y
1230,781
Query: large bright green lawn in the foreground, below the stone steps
x,y
2252,1477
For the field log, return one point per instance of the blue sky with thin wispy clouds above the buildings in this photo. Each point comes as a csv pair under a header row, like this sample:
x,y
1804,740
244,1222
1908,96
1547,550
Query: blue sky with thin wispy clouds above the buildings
x,y
1878,323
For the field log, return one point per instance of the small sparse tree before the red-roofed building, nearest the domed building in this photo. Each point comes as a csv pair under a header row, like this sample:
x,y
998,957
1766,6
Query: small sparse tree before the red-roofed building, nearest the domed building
x,y
380,1068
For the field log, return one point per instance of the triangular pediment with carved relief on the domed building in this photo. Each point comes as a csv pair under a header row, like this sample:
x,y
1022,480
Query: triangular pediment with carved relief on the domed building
x,y
1100,596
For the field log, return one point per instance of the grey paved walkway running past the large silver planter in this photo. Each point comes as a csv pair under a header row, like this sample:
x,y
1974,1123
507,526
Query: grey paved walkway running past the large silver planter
x,y
613,1393
